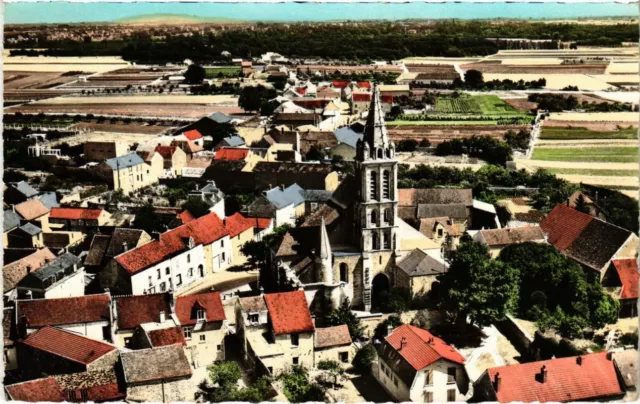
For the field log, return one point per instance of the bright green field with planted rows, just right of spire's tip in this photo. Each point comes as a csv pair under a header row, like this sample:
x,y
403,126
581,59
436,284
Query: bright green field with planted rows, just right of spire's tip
x,y
476,104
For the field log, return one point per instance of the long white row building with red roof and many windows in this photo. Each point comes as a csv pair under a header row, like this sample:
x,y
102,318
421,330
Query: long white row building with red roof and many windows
x,y
176,260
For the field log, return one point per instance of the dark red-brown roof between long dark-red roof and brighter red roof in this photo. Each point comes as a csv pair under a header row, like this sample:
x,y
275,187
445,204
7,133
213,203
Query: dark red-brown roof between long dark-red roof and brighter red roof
x,y
132,311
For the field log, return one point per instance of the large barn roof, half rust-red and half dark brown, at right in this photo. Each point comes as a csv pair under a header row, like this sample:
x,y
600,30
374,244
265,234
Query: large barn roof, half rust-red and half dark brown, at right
x,y
588,240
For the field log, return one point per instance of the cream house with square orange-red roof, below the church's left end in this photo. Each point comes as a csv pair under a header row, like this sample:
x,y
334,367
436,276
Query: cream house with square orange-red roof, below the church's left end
x,y
275,331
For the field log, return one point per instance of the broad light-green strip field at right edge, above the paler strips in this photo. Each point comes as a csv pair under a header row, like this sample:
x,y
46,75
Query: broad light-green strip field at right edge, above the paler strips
x,y
593,154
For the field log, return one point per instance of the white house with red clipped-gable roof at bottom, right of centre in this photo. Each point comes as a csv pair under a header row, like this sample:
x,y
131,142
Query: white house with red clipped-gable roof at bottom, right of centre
x,y
414,365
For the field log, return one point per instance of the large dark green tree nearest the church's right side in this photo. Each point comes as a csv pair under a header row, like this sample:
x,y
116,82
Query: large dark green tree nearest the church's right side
x,y
477,287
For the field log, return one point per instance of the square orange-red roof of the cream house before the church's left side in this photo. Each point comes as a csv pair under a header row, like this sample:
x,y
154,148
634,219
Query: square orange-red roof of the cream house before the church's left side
x,y
289,312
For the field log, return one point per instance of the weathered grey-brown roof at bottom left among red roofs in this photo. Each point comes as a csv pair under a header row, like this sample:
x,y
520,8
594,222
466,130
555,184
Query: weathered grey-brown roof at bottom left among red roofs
x,y
148,365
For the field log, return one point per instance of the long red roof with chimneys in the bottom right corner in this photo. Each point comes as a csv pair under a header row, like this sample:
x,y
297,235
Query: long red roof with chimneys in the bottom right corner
x,y
566,380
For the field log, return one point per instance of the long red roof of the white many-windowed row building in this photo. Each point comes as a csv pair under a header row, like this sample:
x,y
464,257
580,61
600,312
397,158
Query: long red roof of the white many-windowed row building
x,y
204,230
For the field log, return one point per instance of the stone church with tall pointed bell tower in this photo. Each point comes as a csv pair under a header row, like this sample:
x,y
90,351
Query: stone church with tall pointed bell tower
x,y
349,247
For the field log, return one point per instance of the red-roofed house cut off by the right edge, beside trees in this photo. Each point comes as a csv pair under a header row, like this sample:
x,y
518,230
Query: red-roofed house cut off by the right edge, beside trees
x,y
621,281
